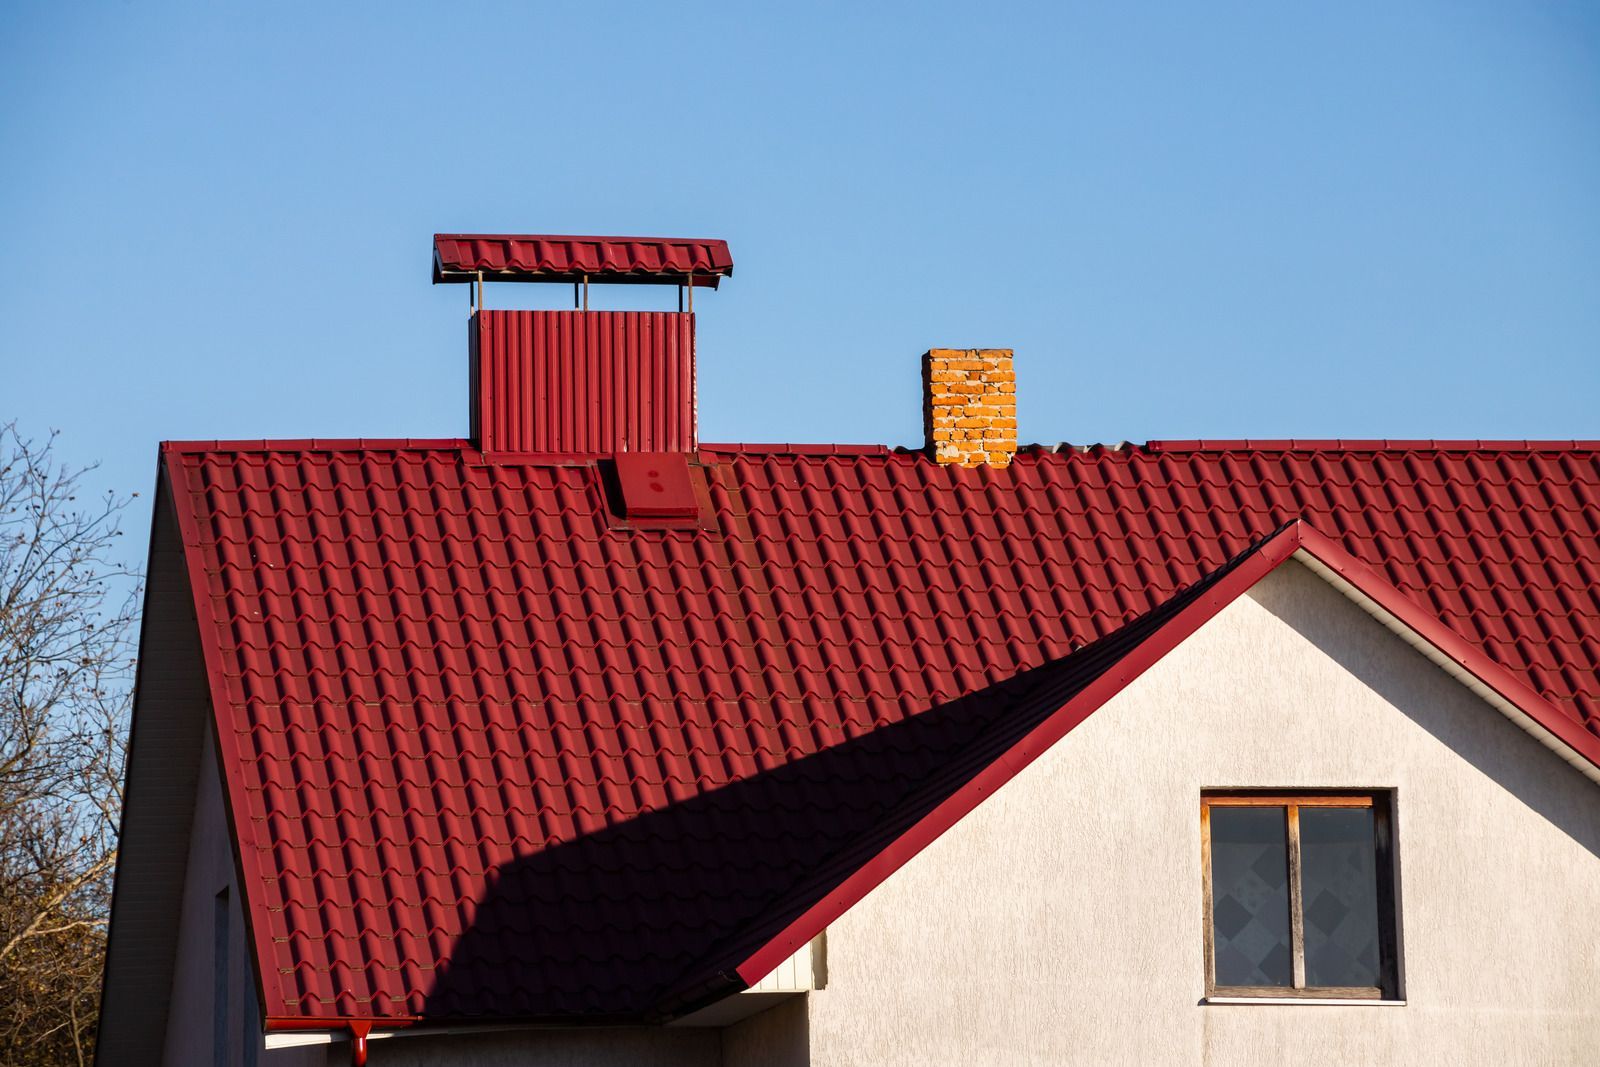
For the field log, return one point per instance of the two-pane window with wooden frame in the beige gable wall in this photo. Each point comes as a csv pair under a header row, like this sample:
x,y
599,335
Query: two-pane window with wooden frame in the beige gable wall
x,y
1300,895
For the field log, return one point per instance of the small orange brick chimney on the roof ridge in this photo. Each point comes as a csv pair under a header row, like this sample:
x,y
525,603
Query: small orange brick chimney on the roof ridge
x,y
969,406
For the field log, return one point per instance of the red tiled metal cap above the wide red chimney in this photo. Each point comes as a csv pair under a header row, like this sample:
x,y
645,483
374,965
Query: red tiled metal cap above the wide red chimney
x,y
554,258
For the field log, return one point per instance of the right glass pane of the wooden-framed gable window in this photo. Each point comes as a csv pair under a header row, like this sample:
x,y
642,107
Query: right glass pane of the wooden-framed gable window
x,y
1340,889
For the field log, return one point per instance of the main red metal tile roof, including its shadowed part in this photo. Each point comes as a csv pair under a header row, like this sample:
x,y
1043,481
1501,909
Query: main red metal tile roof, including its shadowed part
x,y
492,753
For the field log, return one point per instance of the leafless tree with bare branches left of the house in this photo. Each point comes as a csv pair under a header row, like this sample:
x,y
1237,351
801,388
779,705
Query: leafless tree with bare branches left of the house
x,y
66,676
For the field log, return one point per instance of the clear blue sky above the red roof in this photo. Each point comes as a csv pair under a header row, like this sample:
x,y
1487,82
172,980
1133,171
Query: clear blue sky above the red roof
x,y
1190,222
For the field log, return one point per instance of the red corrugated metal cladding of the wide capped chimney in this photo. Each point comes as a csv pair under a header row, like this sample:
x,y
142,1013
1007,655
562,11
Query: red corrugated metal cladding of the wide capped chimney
x,y
583,382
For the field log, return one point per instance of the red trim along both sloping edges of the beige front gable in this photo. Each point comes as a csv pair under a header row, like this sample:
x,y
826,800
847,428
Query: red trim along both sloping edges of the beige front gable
x,y
1298,541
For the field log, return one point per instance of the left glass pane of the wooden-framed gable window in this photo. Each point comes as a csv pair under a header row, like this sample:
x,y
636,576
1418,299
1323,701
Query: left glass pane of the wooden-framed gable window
x,y
1250,897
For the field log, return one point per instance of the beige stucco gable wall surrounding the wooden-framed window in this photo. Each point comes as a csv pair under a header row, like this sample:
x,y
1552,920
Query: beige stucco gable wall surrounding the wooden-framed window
x,y
1060,924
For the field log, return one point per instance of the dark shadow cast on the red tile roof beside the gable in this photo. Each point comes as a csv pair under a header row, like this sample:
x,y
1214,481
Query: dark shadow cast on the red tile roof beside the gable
x,y
649,919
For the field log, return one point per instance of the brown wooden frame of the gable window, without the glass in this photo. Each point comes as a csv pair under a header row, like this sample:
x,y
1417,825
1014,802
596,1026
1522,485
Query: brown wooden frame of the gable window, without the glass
x,y
1382,802
